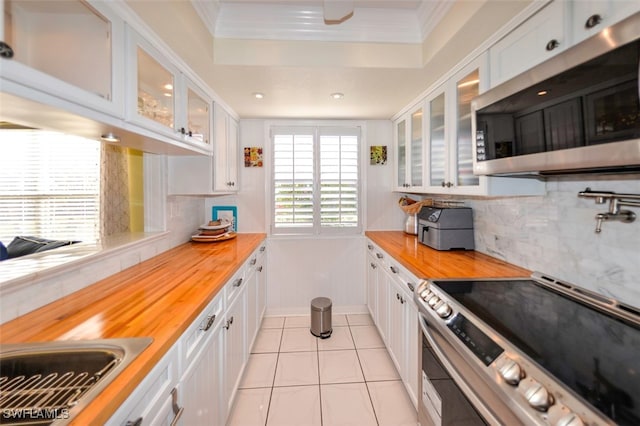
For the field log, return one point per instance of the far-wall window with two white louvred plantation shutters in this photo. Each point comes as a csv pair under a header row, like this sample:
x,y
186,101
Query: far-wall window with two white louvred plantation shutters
x,y
315,180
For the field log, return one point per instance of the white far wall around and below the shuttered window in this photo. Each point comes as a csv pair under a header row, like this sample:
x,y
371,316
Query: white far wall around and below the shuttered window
x,y
298,268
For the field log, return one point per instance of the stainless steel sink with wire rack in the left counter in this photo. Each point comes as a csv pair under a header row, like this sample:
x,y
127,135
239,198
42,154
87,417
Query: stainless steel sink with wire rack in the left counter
x,y
50,382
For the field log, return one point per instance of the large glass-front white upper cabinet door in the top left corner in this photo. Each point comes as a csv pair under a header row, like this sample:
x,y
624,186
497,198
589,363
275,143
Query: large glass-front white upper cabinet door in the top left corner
x,y
73,50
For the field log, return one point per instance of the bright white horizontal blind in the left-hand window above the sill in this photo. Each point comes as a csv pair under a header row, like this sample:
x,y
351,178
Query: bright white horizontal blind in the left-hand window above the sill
x,y
49,186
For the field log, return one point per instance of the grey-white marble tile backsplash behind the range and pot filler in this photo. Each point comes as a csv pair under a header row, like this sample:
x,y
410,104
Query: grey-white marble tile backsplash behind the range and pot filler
x,y
555,234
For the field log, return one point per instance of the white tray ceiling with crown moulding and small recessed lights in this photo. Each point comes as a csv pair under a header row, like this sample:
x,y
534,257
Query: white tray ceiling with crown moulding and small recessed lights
x,y
285,50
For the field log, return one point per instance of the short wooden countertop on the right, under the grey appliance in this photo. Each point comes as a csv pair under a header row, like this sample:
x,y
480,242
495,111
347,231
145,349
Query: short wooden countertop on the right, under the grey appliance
x,y
425,262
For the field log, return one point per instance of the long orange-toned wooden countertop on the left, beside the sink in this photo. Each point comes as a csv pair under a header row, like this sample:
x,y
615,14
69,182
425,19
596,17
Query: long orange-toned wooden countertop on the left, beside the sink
x,y
157,298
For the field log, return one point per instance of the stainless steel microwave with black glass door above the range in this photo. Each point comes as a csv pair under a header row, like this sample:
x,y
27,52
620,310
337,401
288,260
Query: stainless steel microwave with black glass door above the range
x,y
577,112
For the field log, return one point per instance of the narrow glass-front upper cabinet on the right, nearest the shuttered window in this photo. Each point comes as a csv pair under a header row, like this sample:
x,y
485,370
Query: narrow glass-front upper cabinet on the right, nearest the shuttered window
x,y
409,136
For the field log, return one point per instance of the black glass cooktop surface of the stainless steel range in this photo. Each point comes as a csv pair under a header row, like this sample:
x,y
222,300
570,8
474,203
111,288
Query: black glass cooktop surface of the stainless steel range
x,y
591,351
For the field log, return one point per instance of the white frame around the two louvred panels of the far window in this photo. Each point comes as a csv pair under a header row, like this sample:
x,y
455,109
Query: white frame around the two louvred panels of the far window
x,y
316,230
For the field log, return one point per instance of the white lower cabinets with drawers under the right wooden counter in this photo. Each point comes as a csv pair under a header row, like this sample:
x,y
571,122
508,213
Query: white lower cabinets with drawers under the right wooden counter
x,y
396,314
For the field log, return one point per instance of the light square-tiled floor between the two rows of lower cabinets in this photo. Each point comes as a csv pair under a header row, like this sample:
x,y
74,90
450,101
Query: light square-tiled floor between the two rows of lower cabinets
x,y
294,378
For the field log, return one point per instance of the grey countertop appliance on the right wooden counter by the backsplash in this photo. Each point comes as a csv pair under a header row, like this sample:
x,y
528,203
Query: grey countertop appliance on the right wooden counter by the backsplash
x,y
446,228
